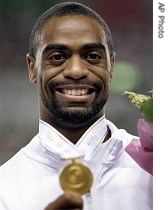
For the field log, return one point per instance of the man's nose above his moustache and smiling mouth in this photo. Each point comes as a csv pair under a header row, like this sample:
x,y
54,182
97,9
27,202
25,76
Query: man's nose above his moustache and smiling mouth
x,y
75,68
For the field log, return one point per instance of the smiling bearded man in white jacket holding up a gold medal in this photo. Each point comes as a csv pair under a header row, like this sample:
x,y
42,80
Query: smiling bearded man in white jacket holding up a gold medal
x,y
71,59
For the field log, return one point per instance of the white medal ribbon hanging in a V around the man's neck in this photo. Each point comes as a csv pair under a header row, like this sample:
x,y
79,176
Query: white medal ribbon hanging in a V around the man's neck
x,y
87,145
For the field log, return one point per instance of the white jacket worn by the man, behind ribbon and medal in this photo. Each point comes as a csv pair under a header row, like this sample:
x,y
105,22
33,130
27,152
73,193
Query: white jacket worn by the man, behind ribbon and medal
x,y
30,180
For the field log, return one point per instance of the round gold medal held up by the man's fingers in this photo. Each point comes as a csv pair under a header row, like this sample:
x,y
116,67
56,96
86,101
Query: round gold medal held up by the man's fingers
x,y
76,177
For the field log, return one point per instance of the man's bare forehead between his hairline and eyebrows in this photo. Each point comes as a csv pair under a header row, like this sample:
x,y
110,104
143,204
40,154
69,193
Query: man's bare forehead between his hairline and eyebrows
x,y
70,29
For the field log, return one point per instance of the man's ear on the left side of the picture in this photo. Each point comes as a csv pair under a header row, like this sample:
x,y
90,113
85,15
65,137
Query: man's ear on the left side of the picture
x,y
31,68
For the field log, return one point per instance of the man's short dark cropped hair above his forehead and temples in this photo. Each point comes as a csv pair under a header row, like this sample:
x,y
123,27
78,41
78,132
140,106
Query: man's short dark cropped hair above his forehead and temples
x,y
64,9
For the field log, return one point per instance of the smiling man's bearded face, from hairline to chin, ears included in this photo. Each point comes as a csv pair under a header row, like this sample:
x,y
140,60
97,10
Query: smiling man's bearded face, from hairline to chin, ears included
x,y
73,69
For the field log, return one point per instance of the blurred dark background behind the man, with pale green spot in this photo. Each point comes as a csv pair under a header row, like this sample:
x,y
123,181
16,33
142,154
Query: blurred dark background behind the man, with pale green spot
x,y
131,24
